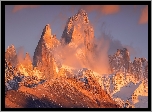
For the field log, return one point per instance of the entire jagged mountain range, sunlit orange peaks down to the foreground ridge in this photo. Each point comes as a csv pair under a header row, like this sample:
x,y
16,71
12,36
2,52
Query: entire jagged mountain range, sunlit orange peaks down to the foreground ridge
x,y
64,72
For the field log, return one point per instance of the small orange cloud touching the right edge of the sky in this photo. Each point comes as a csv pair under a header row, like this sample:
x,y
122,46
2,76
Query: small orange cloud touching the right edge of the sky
x,y
144,16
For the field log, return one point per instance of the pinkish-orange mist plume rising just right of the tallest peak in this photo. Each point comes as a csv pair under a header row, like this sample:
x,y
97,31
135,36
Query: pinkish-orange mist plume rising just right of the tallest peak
x,y
101,58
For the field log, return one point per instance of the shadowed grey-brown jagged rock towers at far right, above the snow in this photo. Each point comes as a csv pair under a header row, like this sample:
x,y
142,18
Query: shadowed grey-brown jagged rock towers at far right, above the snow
x,y
120,62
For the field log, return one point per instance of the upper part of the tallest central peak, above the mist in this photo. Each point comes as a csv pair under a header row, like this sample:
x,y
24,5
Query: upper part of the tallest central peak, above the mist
x,y
78,29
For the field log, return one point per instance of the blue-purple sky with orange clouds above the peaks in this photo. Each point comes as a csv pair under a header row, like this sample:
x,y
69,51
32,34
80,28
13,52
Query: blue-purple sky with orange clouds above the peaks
x,y
125,24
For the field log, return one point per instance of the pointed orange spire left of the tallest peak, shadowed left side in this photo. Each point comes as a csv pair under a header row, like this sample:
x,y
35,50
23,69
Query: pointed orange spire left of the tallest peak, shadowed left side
x,y
43,58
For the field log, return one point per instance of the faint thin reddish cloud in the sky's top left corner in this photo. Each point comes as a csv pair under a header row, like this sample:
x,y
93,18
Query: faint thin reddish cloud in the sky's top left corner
x,y
20,7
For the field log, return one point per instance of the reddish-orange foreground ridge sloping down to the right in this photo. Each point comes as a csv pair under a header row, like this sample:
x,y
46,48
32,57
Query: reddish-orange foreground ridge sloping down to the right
x,y
63,93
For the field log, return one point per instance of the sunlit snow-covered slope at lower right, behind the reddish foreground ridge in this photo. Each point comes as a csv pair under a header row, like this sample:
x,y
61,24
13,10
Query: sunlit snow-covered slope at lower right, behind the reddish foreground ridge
x,y
118,87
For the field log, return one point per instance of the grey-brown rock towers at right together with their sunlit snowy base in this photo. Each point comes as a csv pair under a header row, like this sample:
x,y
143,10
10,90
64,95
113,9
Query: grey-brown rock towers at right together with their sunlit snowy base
x,y
124,72
